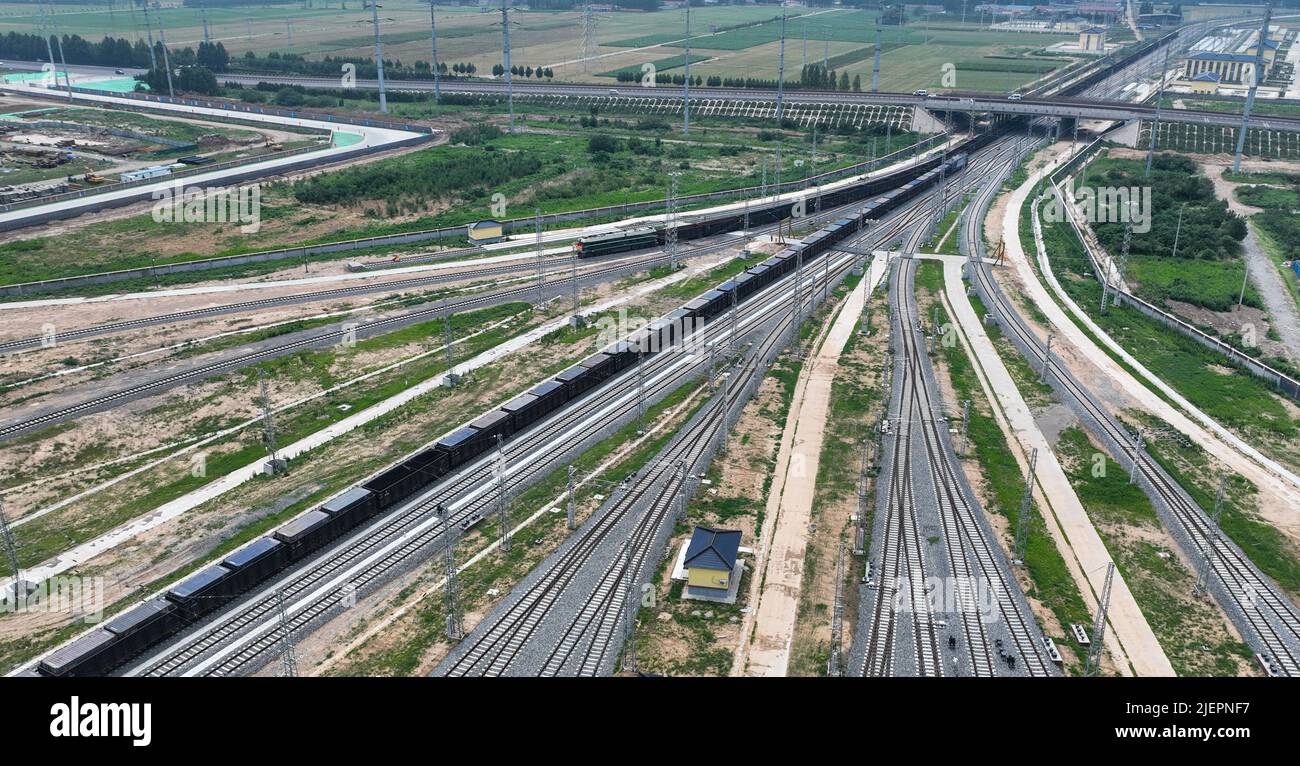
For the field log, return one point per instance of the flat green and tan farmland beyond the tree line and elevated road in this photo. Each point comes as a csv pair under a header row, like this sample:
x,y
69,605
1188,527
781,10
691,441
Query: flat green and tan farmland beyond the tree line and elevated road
x,y
913,55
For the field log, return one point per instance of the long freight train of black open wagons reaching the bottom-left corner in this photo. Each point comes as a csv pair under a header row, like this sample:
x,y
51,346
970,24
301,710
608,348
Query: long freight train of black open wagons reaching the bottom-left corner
x,y
203,594
